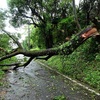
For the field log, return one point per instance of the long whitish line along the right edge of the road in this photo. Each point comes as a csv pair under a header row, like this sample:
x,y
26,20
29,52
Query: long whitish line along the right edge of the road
x,y
74,81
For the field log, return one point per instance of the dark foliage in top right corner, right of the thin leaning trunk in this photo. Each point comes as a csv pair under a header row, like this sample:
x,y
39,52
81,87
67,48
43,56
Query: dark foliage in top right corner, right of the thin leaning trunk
x,y
89,12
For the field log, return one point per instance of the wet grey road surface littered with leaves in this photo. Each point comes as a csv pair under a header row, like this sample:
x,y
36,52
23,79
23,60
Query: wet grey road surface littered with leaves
x,y
35,82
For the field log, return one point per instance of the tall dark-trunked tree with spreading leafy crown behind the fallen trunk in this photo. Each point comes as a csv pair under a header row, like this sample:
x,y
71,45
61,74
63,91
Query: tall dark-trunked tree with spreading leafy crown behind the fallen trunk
x,y
39,13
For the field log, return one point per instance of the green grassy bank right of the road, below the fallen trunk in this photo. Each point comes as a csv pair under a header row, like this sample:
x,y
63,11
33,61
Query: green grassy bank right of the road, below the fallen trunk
x,y
79,65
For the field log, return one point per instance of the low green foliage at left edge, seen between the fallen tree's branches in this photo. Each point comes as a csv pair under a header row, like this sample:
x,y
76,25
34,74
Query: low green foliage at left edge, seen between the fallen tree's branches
x,y
4,40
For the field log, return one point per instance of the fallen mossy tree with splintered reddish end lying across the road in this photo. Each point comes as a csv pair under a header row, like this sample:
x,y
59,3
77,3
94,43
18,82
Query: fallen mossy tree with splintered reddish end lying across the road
x,y
65,49
